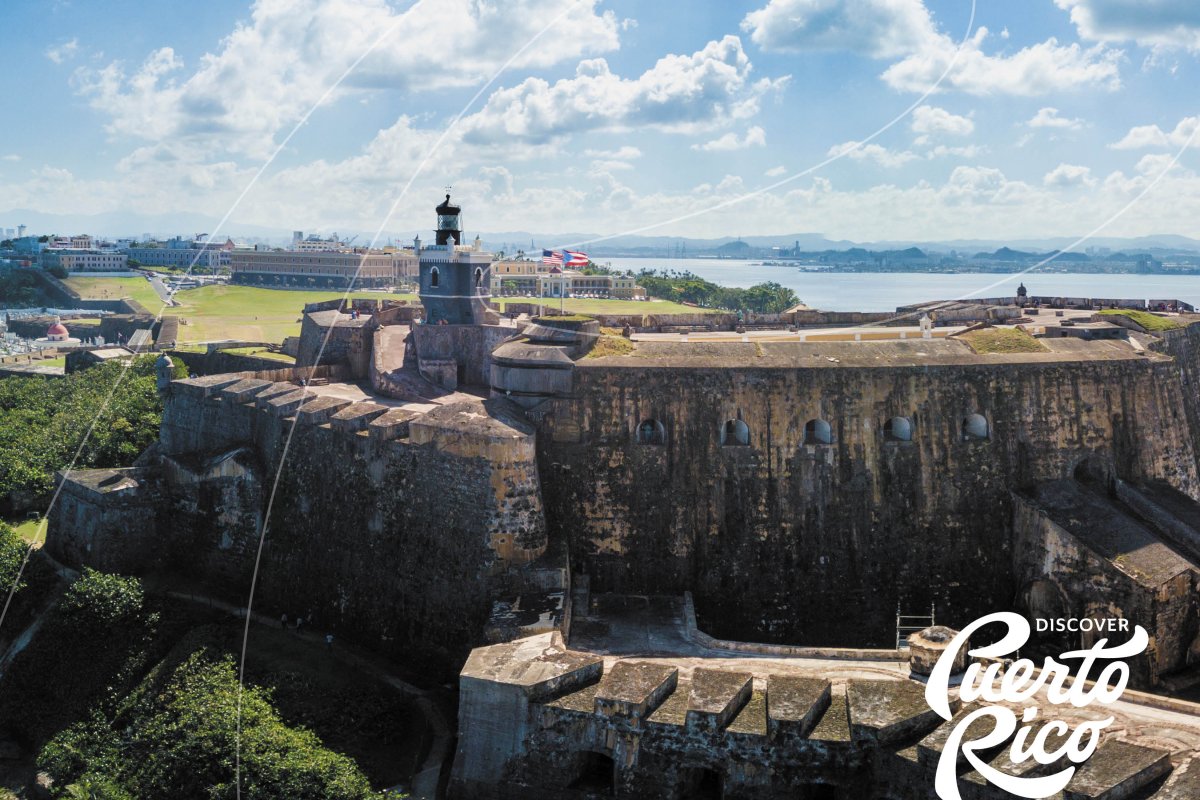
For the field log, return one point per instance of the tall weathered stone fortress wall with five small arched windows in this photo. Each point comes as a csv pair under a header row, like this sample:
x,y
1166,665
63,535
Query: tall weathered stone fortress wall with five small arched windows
x,y
772,536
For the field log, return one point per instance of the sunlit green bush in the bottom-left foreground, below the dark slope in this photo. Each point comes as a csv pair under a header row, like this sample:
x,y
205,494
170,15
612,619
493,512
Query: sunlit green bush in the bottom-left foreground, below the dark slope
x,y
176,738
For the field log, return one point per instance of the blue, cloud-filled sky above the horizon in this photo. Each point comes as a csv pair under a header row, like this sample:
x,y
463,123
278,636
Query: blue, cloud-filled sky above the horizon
x,y
856,119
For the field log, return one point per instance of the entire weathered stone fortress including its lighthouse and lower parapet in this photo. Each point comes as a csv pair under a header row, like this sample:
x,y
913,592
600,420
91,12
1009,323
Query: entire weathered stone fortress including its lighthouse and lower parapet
x,y
718,562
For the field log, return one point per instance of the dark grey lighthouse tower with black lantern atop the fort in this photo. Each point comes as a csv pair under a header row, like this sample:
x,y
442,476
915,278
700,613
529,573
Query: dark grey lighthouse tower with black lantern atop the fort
x,y
457,281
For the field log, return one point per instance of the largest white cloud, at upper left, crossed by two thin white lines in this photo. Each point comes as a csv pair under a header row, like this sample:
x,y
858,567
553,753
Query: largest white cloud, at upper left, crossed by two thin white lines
x,y
271,70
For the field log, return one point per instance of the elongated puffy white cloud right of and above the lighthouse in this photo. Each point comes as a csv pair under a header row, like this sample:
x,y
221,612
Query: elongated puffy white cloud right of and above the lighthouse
x,y
680,94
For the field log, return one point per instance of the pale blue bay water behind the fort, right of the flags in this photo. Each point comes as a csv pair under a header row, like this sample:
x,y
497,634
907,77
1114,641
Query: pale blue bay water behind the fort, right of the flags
x,y
886,291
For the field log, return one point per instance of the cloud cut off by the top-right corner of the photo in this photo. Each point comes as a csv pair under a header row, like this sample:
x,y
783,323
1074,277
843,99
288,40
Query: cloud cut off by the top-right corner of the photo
x,y
1160,23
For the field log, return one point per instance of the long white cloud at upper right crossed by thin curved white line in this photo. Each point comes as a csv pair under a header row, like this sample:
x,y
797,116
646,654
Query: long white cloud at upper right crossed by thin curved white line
x,y
905,31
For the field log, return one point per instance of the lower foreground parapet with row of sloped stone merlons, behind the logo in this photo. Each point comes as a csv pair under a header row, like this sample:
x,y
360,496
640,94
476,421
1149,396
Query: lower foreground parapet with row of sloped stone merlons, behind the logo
x,y
539,720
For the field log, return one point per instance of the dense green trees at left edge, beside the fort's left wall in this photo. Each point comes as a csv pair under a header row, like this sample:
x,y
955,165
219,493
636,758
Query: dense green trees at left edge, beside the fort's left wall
x,y
45,420
